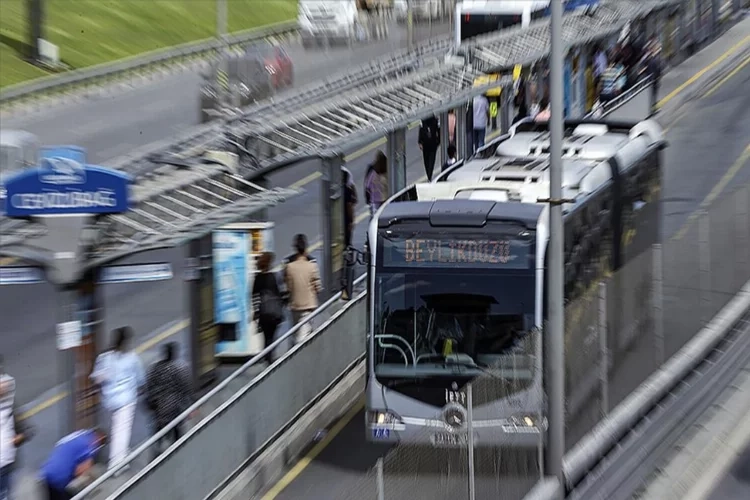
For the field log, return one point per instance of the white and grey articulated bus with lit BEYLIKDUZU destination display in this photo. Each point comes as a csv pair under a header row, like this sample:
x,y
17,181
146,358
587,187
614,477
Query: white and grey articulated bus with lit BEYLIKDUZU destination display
x,y
457,277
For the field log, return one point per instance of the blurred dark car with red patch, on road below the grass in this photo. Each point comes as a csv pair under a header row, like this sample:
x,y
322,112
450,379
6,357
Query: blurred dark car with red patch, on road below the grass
x,y
252,75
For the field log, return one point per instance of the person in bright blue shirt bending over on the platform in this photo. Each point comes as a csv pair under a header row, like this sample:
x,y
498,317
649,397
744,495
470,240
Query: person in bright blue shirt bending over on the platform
x,y
72,457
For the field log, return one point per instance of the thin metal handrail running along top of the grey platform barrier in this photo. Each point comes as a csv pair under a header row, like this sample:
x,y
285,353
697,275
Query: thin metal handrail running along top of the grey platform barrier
x,y
153,440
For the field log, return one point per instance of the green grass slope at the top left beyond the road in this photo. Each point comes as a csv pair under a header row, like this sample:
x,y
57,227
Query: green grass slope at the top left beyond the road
x,y
91,32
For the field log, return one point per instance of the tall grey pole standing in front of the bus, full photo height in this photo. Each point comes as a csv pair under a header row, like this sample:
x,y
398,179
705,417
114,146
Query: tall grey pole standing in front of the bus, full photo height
x,y
555,342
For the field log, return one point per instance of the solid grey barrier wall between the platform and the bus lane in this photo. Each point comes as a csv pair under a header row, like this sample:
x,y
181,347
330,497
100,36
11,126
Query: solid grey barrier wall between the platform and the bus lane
x,y
256,415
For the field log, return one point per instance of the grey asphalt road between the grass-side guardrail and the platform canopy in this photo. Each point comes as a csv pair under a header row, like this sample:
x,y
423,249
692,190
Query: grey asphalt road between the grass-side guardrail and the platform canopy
x,y
111,126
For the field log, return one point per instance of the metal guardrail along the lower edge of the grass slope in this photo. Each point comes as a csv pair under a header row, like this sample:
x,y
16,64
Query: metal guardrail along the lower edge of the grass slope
x,y
108,73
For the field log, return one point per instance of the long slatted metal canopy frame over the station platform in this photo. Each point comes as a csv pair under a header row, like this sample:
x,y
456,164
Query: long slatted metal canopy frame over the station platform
x,y
179,197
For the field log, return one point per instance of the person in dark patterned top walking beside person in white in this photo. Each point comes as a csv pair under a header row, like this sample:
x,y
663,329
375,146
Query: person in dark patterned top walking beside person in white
x,y
169,392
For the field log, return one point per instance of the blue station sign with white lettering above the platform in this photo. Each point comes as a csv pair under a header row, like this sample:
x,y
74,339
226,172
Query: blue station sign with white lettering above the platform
x,y
63,186
